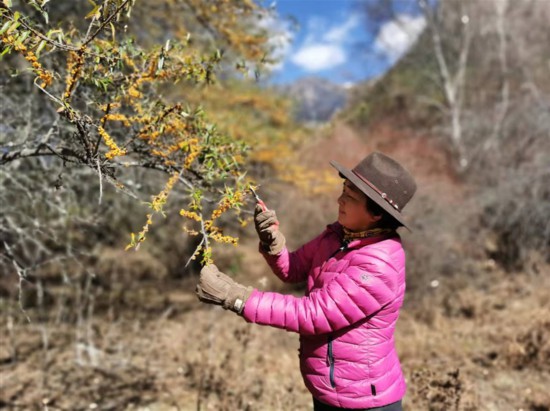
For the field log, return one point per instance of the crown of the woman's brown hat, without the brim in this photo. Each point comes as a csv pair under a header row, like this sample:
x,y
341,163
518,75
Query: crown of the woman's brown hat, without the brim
x,y
386,176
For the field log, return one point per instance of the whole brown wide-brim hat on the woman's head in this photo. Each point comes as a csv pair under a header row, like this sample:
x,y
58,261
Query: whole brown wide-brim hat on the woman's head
x,y
384,181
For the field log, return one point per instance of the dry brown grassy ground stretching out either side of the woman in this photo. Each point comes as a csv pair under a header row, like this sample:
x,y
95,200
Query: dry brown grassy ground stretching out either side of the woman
x,y
160,349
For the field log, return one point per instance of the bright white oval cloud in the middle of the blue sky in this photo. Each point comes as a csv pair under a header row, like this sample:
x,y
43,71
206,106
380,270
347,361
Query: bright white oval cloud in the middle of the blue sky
x,y
318,57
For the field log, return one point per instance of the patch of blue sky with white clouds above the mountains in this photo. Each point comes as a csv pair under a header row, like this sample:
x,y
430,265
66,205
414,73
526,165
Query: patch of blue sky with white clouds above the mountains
x,y
335,41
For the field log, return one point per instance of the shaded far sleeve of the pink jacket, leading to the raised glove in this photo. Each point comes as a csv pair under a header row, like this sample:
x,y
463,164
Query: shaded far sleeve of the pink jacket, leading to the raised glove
x,y
293,267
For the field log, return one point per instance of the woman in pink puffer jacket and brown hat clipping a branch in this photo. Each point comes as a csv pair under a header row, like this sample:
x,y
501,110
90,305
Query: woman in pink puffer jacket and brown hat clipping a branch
x,y
355,273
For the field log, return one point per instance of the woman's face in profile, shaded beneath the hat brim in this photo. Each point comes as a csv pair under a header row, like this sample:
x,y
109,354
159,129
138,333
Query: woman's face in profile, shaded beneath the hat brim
x,y
352,209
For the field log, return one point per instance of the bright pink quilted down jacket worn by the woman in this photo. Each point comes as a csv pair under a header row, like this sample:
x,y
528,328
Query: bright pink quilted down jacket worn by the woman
x,y
346,320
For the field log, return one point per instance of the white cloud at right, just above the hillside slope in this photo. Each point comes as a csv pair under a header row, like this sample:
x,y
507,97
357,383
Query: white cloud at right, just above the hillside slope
x,y
396,36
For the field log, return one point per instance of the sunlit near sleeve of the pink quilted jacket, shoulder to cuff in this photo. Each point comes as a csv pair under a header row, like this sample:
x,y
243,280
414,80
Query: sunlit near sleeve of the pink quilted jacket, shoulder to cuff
x,y
350,296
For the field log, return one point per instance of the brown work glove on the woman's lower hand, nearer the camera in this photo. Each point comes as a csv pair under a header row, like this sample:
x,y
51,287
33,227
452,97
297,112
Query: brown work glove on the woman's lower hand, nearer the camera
x,y
215,287
